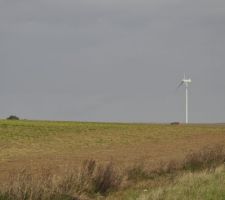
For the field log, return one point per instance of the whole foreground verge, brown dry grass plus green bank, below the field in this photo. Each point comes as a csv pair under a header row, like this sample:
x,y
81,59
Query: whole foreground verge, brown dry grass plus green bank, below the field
x,y
201,175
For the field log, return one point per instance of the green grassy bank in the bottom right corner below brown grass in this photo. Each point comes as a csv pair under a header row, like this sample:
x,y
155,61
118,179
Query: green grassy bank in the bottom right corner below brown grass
x,y
204,185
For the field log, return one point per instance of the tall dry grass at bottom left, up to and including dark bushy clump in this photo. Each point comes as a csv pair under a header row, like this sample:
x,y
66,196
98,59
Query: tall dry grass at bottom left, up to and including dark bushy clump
x,y
89,180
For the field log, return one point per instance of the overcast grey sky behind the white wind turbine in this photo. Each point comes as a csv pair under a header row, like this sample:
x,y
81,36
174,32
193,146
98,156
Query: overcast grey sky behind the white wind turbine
x,y
112,60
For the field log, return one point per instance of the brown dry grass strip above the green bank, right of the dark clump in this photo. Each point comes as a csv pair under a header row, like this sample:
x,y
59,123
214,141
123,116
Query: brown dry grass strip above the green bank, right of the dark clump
x,y
208,158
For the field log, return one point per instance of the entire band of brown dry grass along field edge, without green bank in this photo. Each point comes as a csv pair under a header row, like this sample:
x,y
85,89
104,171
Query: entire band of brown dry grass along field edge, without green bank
x,y
92,179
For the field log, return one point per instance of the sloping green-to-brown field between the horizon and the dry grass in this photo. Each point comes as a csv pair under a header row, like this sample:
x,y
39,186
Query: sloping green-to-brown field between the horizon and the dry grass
x,y
35,144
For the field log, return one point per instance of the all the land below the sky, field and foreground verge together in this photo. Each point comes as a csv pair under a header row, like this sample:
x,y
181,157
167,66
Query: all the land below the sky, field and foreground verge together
x,y
42,160
